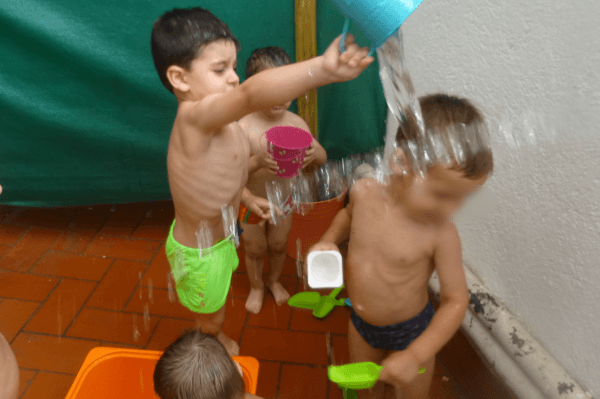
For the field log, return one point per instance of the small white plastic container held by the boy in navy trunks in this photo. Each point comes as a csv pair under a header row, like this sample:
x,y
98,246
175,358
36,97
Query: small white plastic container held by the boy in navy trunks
x,y
325,269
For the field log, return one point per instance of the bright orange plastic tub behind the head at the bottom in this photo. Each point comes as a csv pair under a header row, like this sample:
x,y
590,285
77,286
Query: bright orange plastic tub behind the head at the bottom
x,y
127,374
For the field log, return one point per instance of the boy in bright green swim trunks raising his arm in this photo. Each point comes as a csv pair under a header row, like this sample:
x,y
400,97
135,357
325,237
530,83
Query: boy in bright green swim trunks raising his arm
x,y
194,54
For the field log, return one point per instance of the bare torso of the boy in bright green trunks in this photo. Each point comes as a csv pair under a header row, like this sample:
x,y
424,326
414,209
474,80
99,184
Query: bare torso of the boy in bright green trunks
x,y
205,172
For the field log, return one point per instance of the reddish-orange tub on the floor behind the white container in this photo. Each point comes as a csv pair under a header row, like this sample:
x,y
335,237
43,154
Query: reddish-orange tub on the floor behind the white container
x,y
310,227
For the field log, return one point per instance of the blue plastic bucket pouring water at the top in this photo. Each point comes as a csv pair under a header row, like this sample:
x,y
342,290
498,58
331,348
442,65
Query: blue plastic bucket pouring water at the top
x,y
377,19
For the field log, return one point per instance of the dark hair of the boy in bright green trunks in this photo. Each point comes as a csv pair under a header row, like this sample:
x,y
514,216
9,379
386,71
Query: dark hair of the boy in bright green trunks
x,y
178,37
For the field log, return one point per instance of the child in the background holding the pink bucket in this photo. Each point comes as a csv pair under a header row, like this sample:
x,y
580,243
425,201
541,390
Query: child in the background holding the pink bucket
x,y
260,237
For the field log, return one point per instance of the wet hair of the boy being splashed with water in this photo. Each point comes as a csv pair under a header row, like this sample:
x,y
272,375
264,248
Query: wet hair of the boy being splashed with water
x,y
442,112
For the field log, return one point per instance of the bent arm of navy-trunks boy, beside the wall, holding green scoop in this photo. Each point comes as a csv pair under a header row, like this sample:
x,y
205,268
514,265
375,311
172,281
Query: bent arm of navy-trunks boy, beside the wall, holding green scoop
x,y
404,366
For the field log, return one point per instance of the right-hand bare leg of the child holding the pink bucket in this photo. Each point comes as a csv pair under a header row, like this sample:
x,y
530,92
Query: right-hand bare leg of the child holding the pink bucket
x,y
277,238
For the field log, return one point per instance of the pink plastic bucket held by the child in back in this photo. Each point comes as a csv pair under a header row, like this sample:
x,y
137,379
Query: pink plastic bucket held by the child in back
x,y
287,145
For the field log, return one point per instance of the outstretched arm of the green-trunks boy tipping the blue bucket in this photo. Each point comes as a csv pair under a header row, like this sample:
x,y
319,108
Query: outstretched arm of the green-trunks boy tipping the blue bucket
x,y
279,85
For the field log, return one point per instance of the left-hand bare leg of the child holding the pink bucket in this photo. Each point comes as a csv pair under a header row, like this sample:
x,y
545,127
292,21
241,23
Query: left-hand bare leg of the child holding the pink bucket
x,y
255,245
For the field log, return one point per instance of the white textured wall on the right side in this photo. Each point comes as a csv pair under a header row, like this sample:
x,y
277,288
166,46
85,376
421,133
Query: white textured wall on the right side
x,y
533,67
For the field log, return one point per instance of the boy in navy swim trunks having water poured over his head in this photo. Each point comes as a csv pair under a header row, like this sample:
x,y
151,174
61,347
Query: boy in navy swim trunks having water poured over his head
x,y
399,234
